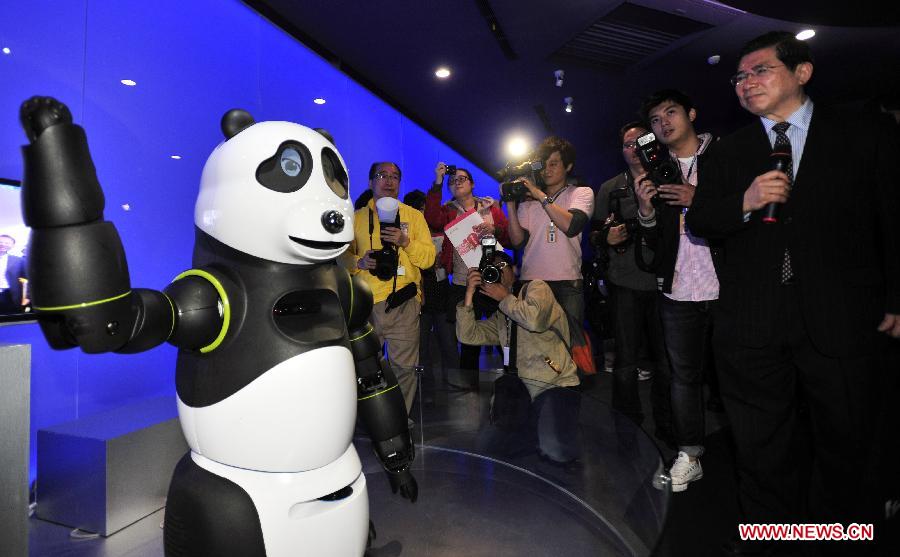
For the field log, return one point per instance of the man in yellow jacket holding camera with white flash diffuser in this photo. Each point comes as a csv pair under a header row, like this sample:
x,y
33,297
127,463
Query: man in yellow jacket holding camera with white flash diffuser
x,y
391,246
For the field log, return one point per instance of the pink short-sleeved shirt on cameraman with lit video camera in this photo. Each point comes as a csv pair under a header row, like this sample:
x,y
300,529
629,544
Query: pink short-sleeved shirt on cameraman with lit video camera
x,y
559,260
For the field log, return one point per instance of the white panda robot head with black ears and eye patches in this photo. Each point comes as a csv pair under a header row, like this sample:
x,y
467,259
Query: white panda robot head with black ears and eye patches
x,y
276,190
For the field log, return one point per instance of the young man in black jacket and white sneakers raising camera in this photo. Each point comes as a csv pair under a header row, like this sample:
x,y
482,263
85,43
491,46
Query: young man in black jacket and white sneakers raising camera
x,y
683,261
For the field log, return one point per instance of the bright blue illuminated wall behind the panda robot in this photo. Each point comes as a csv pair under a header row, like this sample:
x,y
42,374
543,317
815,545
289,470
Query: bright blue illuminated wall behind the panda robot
x,y
192,61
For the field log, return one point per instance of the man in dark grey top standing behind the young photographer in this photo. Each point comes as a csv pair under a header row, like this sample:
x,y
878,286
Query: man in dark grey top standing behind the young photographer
x,y
635,305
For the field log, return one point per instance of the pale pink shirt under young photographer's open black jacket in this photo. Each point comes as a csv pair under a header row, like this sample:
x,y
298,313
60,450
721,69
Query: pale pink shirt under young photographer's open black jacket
x,y
695,277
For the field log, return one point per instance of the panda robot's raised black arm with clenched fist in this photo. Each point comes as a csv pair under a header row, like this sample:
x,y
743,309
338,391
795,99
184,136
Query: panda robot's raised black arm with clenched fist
x,y
79,280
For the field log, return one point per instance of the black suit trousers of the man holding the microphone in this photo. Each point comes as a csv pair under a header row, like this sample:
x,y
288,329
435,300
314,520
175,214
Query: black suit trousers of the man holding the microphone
x,y
801,423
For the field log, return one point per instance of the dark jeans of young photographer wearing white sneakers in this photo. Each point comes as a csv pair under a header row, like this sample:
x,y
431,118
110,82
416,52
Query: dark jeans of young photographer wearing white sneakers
x,y
687,327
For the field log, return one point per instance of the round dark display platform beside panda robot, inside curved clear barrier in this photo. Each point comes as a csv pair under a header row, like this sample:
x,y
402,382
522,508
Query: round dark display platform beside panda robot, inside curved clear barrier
x,y
482,490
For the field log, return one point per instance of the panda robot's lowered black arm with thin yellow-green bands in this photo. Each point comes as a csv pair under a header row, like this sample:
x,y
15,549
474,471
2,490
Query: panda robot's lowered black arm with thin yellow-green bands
x,y
380,407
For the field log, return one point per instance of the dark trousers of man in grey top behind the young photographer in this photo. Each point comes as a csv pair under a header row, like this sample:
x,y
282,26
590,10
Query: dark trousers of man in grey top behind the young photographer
x,y
634,312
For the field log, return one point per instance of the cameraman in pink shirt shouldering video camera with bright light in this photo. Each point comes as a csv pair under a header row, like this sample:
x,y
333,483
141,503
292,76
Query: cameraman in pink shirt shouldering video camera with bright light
x,y
546,223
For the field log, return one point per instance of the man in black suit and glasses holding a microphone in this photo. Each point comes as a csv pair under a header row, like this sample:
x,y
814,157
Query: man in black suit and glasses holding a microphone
x,y
802,300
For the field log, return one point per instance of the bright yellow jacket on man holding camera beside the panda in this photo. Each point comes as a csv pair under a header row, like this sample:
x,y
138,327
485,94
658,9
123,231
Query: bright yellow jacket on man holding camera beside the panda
x,y
418,255
